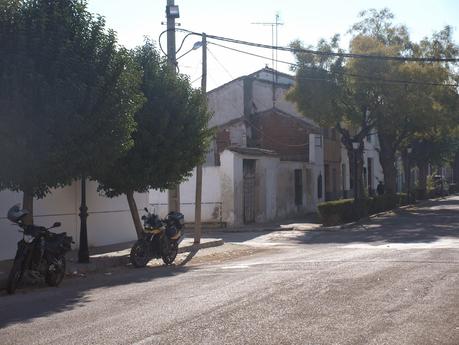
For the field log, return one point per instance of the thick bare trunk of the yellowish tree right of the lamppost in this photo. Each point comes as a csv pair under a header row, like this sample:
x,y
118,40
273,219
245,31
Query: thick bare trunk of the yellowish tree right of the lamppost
x,y
387,160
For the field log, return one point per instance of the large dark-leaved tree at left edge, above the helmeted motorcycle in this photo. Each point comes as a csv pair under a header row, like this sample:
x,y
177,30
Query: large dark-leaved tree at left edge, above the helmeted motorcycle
x,y
67,95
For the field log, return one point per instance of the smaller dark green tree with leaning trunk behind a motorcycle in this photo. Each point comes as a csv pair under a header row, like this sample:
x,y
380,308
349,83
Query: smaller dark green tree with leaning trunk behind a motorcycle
x,y
171,136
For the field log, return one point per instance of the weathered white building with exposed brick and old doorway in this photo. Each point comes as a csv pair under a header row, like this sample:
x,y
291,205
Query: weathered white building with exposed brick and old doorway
x,y
266,160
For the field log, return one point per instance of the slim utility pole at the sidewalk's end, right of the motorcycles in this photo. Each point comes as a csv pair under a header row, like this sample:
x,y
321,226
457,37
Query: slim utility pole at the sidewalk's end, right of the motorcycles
x,y
198,199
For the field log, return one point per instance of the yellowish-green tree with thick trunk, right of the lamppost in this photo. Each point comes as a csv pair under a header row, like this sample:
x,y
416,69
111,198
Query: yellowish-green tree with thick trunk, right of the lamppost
x,y
406,108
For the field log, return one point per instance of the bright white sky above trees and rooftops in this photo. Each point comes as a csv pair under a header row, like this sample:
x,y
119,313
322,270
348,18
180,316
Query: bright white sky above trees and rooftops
x,y
307,21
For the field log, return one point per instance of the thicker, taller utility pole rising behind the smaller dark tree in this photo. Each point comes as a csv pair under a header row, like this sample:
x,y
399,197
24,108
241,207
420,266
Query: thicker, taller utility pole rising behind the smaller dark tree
x,y
172,12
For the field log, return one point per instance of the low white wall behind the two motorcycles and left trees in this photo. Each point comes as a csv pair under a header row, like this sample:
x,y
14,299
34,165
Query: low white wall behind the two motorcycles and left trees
x,y
109,220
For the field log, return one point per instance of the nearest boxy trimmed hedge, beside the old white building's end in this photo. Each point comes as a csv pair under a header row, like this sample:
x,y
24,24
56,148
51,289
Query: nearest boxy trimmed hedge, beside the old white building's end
x,y
337,212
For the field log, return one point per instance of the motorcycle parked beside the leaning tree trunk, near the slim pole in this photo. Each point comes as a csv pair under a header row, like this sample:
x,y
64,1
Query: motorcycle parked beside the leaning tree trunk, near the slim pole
x,y
161,238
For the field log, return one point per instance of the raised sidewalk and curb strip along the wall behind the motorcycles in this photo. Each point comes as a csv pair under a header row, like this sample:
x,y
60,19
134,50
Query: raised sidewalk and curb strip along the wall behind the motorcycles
x,y
105,261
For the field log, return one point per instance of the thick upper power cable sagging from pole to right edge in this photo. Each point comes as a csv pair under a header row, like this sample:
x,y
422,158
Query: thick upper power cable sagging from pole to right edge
x,y
324,53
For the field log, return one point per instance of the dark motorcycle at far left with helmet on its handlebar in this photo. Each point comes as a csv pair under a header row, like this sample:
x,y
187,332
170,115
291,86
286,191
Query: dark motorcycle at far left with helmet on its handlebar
x,y
40,253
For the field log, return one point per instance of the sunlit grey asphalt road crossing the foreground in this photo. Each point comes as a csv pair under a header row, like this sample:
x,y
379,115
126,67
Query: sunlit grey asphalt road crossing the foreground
x,y
392,281
